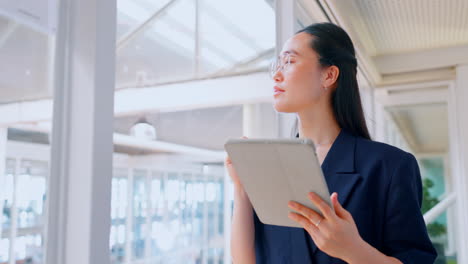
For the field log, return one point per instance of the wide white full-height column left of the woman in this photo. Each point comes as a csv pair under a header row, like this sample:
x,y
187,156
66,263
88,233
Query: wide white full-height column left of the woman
x,y
81,156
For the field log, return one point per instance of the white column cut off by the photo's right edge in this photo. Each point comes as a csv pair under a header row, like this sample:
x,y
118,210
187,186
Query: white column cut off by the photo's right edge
x,y
459,147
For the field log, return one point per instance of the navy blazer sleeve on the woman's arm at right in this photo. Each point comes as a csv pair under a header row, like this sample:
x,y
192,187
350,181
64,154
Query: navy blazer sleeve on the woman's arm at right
x,y
405,233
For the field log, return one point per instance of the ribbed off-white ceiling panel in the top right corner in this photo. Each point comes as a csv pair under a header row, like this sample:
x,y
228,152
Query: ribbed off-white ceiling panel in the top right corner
x,y
400,26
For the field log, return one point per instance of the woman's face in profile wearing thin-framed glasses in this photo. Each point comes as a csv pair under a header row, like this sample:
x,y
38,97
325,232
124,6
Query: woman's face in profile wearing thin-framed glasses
x,y
299,85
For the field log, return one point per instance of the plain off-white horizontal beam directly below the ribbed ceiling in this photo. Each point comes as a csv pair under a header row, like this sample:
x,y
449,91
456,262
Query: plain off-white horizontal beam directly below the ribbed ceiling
x,y
422,60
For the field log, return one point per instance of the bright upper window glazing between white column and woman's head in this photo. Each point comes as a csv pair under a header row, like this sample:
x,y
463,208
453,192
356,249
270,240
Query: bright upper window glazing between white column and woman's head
x,y
231,39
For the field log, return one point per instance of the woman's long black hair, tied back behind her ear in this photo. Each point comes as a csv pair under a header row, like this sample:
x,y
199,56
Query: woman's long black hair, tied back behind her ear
x,y
334,47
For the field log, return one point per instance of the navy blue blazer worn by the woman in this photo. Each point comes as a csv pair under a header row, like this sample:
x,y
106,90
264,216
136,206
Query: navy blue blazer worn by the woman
x,y
380,186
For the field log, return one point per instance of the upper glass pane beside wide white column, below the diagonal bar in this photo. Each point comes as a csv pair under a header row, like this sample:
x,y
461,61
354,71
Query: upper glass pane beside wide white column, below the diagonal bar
x,y
162,52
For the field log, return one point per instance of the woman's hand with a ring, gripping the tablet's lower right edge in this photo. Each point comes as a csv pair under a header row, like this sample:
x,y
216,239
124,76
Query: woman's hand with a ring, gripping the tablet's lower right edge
x,y
335,233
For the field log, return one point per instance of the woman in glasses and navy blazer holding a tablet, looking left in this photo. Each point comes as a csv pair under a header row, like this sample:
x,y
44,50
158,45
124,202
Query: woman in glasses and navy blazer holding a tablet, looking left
x,y
376,188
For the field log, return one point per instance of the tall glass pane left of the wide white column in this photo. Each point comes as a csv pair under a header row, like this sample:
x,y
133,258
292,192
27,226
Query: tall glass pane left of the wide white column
x,y
26,78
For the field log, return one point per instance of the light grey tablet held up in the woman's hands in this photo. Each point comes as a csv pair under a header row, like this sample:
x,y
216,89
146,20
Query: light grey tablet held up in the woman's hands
x,y
276,171
